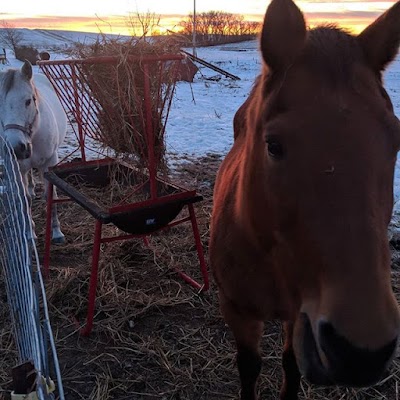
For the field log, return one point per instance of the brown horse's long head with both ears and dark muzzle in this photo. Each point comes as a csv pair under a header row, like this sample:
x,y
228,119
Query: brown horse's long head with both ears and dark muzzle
x,y
324,128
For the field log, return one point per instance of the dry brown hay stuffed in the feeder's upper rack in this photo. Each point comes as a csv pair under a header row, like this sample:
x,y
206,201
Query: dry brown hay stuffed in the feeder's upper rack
x,y
129,122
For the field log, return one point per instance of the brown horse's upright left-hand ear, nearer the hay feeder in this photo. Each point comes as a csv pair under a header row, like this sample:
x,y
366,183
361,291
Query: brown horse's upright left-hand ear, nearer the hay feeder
x,y
283,34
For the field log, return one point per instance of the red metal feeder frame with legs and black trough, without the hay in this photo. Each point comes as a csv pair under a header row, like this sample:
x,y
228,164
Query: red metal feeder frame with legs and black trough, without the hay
x,y
138,219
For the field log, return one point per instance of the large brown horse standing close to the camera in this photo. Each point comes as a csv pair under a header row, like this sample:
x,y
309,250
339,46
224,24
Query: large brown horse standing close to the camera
x,y
302,204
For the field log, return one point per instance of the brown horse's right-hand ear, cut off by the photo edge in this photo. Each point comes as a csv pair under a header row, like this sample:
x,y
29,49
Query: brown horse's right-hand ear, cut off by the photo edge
x,y
380,40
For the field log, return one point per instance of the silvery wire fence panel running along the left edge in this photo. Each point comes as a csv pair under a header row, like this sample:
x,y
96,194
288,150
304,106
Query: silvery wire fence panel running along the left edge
x,y
24,284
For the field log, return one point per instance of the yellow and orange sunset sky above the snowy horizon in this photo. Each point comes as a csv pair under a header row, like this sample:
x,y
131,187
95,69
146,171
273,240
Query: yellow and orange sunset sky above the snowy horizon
x,y
110,15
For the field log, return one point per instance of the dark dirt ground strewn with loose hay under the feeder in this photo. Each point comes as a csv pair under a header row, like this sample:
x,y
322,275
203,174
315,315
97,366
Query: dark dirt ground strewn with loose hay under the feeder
x,y
154,336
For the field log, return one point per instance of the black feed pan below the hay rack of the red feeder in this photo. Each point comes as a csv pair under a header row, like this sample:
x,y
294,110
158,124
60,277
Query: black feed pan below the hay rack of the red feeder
x,y
143,218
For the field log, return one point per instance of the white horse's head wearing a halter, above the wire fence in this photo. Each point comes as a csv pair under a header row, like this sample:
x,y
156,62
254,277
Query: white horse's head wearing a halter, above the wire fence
x,y
18,109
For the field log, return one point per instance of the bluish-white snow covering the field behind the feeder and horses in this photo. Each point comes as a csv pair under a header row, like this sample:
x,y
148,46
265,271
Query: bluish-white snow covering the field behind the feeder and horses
x,y
201,115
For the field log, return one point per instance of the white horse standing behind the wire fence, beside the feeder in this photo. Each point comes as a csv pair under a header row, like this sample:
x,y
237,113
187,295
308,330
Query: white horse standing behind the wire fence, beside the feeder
x,y
34,123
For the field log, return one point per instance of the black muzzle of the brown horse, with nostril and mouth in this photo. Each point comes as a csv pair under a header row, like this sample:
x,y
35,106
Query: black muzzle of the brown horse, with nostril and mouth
x,y
333,360
